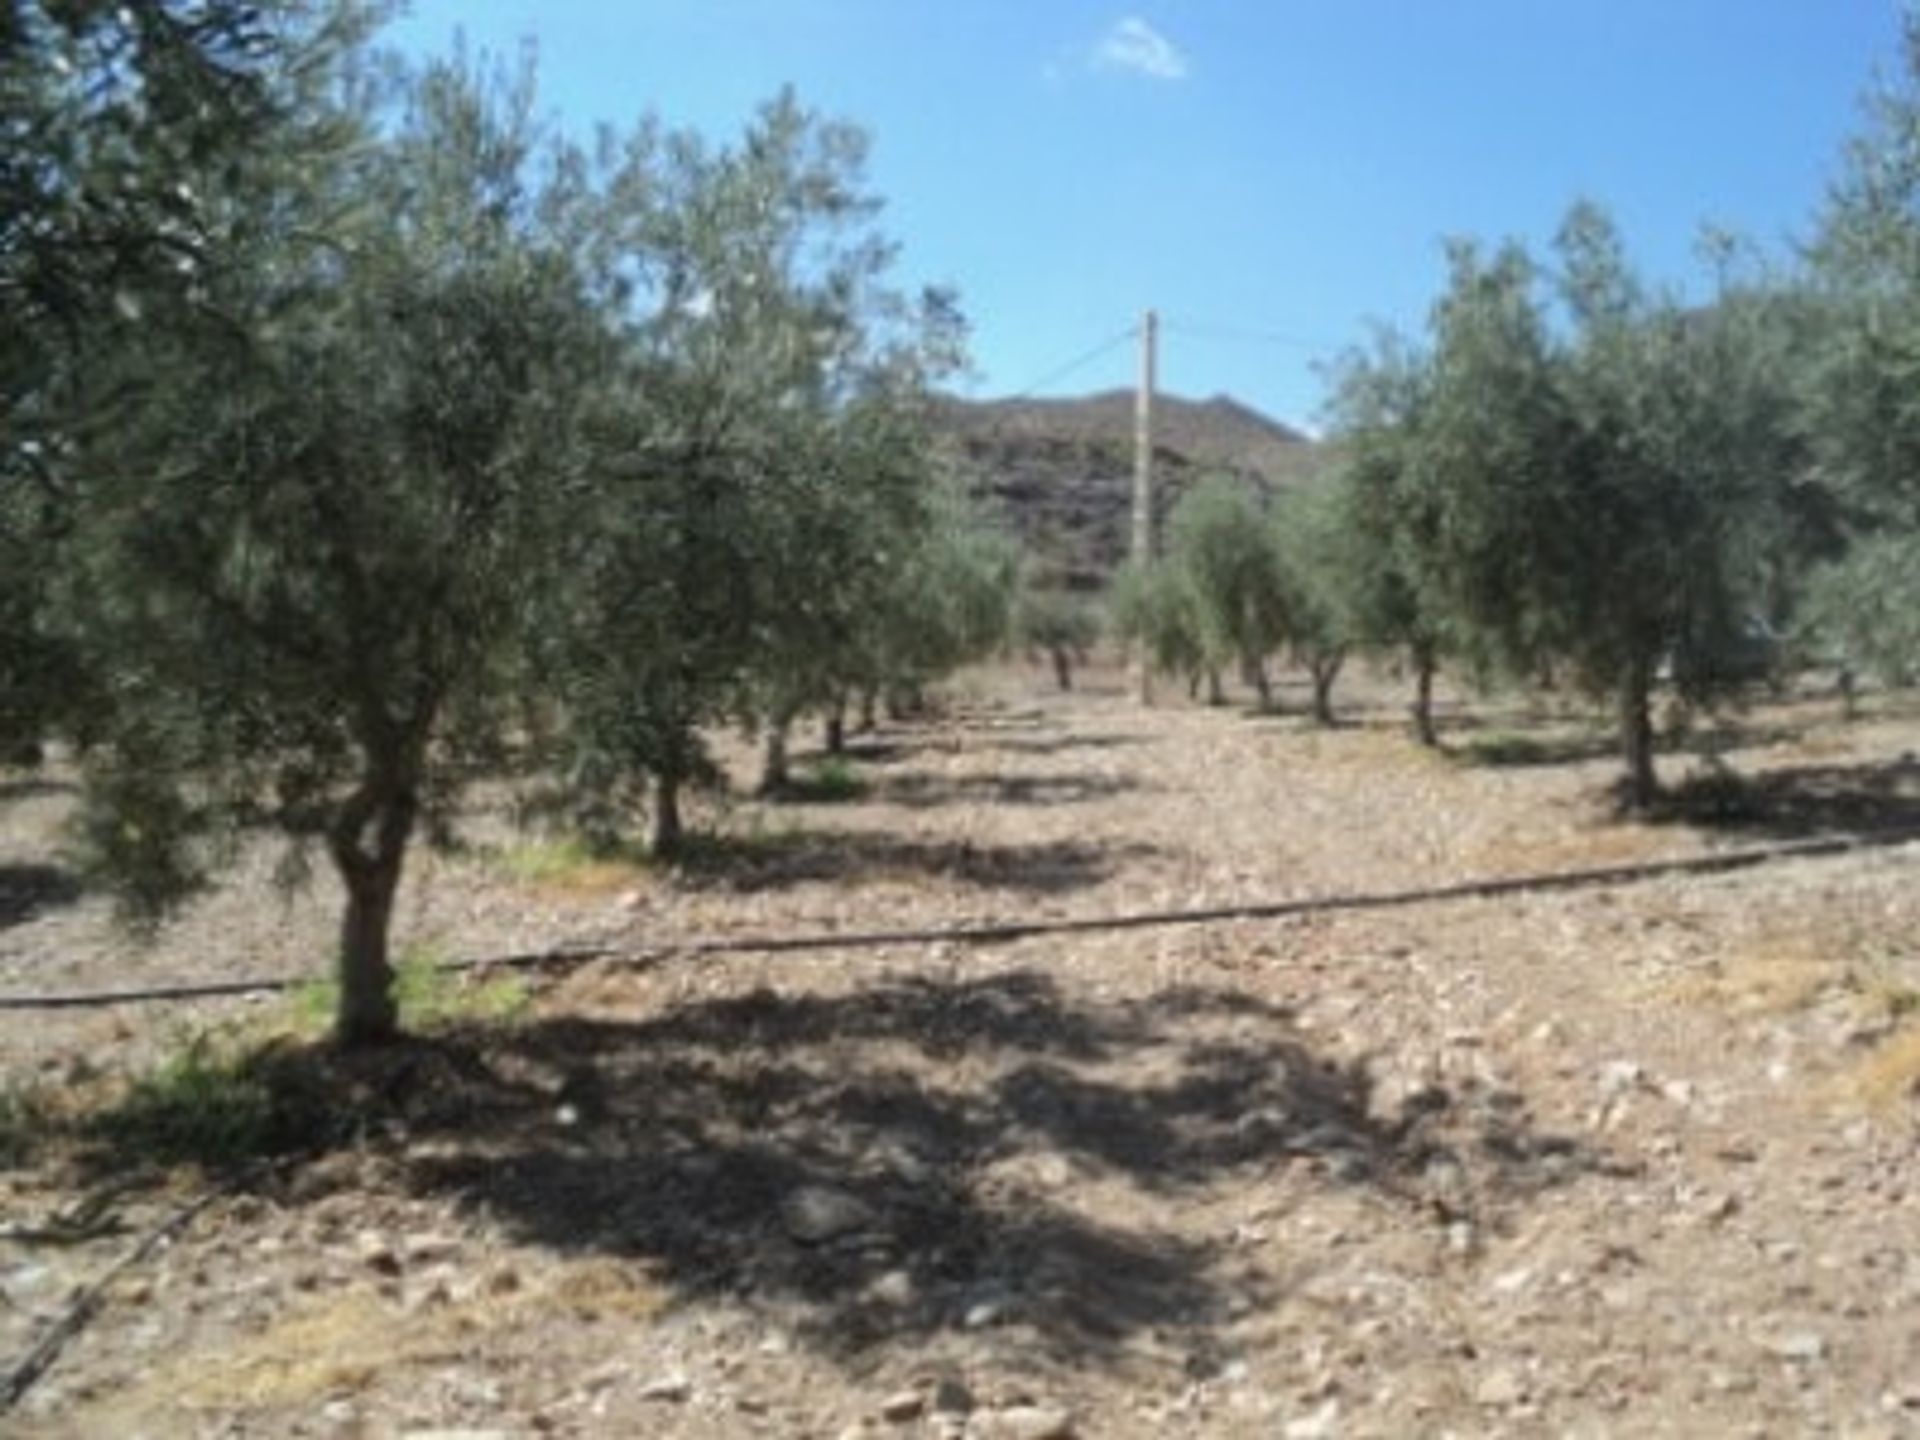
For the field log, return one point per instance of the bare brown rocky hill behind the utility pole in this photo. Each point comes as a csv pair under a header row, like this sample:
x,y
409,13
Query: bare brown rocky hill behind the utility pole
x,y
1061,471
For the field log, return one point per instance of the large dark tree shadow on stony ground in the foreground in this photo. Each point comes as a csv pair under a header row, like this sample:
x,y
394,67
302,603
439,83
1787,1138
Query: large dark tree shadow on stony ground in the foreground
x,y
890,1164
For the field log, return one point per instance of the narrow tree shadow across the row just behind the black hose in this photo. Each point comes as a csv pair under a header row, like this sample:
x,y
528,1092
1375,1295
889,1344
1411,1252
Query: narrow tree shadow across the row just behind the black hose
x,y
852,857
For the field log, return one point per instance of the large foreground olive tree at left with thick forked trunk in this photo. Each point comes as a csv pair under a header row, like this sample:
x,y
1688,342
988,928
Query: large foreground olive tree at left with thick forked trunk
x,y
304,546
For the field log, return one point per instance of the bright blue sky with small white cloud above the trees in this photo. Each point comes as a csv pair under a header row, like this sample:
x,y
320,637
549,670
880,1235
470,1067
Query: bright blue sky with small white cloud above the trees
x,y
1274,176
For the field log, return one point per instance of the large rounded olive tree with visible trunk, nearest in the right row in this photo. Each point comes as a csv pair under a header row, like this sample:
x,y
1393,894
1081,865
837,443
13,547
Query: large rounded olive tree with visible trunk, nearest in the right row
x,y
1604,500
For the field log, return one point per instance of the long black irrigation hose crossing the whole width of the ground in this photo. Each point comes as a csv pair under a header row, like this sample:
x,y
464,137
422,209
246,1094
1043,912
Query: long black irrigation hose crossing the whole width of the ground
x,y
1001,932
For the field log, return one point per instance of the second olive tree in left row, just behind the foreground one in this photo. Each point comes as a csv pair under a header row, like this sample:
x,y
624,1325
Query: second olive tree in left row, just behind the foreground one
x,y
757,471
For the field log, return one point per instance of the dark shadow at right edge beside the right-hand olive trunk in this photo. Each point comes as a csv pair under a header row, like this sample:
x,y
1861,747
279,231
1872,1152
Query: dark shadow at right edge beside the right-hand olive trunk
x,y
1865,802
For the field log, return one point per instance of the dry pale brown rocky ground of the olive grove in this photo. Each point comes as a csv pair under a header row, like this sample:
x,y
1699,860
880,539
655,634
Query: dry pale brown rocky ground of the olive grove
x,y
1635,1161
